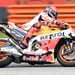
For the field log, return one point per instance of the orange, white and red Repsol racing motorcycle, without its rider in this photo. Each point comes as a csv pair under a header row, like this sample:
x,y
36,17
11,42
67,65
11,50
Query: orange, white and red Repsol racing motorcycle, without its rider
x,y
47,46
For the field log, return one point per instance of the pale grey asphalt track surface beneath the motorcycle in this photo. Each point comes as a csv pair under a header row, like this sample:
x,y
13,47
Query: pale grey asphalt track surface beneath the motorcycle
x,y
26,69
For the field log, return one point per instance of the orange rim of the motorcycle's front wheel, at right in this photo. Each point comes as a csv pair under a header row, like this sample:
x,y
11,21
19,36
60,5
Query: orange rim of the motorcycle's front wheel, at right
x,y
67,58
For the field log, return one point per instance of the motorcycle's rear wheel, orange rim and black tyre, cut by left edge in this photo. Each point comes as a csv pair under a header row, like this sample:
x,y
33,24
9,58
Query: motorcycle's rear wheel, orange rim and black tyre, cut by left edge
x,y
5,60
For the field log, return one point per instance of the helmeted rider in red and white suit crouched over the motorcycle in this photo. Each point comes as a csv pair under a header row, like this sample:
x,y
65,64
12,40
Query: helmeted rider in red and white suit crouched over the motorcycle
x,y
47,17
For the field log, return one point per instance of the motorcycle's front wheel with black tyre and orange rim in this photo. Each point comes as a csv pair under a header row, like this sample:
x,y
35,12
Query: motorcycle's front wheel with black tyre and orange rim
x,y
66,55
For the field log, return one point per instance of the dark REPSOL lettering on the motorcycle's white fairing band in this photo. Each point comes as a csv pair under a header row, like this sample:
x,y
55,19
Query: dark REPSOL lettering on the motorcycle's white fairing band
x,y
52,36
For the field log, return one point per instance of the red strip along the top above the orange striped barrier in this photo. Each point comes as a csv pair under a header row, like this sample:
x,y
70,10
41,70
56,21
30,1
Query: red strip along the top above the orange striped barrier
x,y
10,2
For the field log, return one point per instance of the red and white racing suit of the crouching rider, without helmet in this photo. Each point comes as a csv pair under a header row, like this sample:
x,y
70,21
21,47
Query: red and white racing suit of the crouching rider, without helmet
x,y
43,19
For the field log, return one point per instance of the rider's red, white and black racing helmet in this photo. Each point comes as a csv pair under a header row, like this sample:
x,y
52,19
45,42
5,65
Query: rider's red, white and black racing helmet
x,y
51,11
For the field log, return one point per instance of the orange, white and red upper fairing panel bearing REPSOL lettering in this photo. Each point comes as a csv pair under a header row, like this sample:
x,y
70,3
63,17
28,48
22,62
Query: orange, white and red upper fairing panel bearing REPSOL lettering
x,y
49,37
